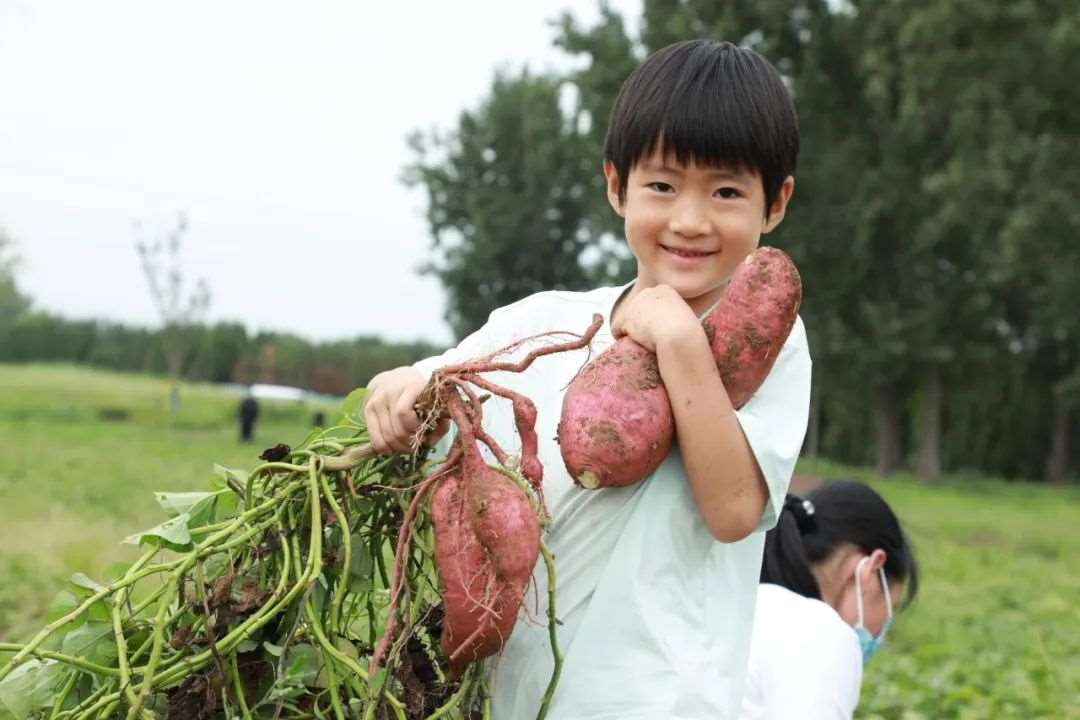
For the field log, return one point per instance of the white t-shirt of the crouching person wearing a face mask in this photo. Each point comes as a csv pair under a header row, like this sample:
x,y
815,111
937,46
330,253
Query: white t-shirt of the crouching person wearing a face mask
x,y
805,661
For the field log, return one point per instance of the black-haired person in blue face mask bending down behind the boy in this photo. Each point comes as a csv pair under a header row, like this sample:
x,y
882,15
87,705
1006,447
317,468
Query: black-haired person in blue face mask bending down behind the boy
x,y
835,567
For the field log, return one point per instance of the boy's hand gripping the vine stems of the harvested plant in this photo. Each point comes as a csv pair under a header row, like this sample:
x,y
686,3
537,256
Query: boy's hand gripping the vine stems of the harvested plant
x,y
391,422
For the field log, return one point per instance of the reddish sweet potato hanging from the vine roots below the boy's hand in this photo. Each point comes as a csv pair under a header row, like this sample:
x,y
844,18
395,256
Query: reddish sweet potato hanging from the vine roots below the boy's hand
x,y
488,541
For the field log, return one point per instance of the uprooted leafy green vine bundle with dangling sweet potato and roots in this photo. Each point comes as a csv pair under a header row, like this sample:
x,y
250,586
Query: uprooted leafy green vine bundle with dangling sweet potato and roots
x,y
328,582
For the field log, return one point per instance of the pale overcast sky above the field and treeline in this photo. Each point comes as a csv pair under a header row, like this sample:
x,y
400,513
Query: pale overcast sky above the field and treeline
x,y
279,128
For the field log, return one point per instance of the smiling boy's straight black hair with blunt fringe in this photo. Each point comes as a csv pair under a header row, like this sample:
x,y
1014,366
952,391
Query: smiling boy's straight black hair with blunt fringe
x,y
710,103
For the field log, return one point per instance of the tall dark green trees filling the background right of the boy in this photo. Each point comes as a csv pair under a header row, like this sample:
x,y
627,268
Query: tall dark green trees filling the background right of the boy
x,y
935,219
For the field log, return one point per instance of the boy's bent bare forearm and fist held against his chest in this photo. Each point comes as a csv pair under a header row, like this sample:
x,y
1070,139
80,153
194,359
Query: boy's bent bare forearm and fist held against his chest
x,y
725,478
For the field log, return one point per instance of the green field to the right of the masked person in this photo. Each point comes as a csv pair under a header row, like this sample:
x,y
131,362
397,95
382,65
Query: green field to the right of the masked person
x,y
995,632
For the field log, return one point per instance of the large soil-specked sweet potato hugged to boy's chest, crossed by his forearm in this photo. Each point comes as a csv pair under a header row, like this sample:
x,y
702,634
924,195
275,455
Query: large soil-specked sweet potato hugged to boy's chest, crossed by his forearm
x,y
617,423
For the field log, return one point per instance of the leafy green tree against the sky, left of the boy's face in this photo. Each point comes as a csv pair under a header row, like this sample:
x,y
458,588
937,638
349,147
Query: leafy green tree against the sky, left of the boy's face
x,y
508,192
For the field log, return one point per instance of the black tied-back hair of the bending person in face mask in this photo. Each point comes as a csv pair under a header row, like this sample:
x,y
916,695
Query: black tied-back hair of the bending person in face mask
x,y
844,513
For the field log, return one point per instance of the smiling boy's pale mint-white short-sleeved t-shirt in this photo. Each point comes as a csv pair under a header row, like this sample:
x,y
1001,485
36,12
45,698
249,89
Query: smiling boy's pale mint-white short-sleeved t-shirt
x,y
655,615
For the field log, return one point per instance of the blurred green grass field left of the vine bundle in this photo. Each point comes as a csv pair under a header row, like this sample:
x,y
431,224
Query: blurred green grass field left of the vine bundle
x,y
73,485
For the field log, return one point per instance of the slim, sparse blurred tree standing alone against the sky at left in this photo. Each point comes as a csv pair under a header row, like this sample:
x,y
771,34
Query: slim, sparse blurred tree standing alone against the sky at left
x,y
180,309
